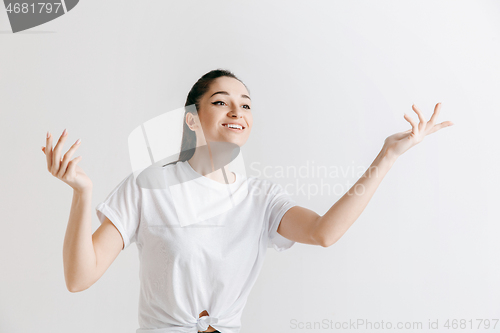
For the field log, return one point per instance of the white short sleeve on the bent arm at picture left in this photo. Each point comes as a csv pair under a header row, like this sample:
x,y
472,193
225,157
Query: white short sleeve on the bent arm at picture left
x,y
123,208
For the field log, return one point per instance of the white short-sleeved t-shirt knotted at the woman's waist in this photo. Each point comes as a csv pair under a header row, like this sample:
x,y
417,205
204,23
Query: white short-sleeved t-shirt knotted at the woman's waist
x,y
206,265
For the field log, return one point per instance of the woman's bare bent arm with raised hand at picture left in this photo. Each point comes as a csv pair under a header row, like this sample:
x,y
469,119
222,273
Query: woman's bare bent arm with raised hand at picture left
x,y
86,256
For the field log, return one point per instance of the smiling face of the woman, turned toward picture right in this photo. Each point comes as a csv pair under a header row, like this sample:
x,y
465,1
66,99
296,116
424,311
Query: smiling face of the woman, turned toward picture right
x,y
226,102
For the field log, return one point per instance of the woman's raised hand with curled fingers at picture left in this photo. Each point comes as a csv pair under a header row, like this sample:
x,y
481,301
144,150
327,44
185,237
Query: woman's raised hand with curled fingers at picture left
x,y
64,169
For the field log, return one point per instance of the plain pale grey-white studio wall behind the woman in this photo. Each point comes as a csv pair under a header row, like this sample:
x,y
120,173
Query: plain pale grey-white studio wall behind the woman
x,y
330,80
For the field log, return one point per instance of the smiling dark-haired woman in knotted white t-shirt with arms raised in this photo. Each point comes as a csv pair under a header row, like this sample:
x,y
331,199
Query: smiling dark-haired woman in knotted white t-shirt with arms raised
x,y
197,278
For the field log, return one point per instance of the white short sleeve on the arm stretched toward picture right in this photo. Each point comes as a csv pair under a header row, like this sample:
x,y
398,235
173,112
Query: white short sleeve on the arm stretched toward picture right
x,y
278,203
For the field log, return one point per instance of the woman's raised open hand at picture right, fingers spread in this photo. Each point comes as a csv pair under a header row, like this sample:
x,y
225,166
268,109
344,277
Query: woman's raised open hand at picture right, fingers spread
x,y
398,143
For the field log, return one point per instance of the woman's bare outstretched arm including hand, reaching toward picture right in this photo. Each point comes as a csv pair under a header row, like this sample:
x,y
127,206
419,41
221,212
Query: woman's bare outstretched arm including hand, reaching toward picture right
x,y
305,226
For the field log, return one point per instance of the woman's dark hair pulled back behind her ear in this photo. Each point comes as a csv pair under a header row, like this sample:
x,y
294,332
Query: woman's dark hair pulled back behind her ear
x,y
188,144
